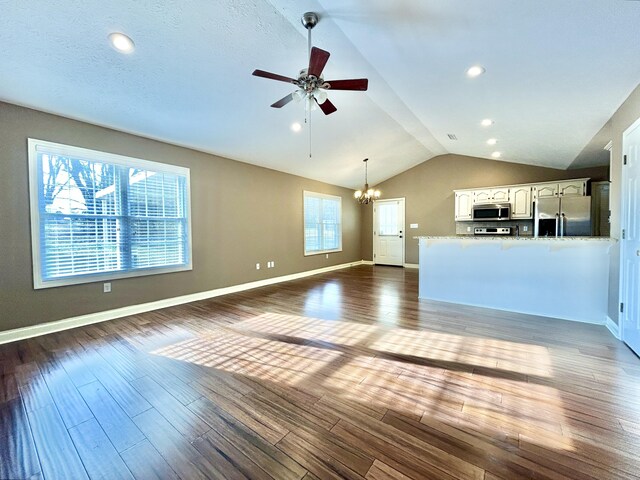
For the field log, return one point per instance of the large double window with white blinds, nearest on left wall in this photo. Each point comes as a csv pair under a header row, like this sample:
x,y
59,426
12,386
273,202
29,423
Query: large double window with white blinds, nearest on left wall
x,y
97,216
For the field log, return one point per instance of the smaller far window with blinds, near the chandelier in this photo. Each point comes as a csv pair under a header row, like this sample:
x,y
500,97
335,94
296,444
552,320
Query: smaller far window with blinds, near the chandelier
x,y
322,223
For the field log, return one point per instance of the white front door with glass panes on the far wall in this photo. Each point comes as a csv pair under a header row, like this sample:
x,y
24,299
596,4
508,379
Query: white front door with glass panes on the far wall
x,y
388,232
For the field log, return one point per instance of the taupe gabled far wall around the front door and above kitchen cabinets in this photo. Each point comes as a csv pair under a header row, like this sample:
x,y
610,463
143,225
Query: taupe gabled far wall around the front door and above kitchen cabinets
x,y
428,190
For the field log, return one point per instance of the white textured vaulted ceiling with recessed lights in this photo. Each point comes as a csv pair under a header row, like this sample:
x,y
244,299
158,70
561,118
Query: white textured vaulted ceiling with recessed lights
x,y
556,72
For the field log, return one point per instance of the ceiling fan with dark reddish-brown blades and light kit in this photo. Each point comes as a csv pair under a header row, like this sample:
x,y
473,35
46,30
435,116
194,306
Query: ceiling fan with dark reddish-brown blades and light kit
x,y
311,85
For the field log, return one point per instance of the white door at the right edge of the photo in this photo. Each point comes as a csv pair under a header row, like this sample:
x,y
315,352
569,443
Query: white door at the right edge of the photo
x,y
630,243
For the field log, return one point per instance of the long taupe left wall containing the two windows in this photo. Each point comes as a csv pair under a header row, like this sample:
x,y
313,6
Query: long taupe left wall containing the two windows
x,y
241,215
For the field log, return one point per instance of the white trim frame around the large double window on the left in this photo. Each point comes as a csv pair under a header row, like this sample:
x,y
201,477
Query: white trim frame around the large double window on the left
x,y
35,146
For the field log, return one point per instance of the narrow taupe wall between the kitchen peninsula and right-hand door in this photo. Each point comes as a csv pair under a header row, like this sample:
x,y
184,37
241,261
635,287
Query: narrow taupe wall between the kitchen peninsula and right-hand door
x,y
621,120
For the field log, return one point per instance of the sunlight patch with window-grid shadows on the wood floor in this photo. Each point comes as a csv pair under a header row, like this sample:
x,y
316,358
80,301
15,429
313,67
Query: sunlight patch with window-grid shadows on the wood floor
x,y
486,385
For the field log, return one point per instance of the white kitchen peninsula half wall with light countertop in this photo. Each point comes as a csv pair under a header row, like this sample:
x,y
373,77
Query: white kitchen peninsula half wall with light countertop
x,y
565,278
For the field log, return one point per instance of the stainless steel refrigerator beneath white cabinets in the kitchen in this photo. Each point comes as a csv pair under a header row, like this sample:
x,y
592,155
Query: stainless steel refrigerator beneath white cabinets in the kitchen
x,y
563,217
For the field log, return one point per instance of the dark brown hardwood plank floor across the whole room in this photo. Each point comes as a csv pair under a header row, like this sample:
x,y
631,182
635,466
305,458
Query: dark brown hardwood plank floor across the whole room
x,y
341,375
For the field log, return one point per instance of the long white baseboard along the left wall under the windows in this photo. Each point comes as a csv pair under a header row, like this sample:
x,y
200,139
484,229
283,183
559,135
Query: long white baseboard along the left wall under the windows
x,y
79,321
